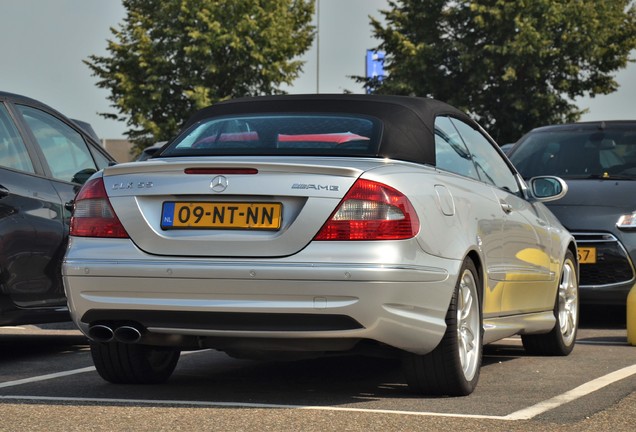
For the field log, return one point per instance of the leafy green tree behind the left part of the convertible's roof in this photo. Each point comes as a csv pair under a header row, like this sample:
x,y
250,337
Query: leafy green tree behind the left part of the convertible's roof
x,y
170,58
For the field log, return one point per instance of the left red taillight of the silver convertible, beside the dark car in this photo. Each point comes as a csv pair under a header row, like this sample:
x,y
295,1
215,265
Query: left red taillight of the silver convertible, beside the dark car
x,y
93,215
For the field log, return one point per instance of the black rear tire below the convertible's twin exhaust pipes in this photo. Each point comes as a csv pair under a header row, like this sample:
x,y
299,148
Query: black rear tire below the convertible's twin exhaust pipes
x,y
121,363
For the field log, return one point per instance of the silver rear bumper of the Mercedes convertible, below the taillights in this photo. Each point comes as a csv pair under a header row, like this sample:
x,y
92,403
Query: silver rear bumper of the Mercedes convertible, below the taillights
x,y
403,306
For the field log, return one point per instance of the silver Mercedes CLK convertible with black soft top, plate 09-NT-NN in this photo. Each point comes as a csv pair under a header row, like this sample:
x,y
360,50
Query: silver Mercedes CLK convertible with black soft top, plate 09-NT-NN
x,y
315,225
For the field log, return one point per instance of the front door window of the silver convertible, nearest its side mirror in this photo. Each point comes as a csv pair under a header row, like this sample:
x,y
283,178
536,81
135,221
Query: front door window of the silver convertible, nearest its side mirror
x,y
491,167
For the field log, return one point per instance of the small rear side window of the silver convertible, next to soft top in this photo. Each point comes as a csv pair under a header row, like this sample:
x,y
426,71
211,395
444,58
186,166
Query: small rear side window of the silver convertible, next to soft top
x,y
451,153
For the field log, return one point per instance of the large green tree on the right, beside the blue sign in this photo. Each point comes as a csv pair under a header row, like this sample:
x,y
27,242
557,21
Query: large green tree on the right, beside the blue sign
x,y
511,64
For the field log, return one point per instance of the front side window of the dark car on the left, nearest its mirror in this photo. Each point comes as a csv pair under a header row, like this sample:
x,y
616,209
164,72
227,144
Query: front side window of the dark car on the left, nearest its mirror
x,y
64,149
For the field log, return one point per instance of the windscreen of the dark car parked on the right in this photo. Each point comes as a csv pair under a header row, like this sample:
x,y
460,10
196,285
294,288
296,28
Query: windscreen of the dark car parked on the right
x,y
578,153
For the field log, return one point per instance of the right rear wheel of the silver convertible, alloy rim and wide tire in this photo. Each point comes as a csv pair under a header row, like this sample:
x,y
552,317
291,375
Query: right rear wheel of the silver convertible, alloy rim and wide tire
x,y
453,367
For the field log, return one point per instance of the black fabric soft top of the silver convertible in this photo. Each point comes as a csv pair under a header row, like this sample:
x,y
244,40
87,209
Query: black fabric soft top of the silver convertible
x,y
408,122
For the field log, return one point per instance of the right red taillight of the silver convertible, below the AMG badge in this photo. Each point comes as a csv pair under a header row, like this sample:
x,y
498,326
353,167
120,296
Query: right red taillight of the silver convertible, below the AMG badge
x,y
371,211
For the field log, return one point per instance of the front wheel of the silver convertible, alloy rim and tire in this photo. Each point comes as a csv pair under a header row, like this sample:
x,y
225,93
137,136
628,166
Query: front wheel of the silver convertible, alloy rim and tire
x,y
561,339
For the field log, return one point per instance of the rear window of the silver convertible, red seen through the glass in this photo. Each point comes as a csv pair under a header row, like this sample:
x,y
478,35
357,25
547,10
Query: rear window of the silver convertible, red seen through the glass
x,y
280,134
